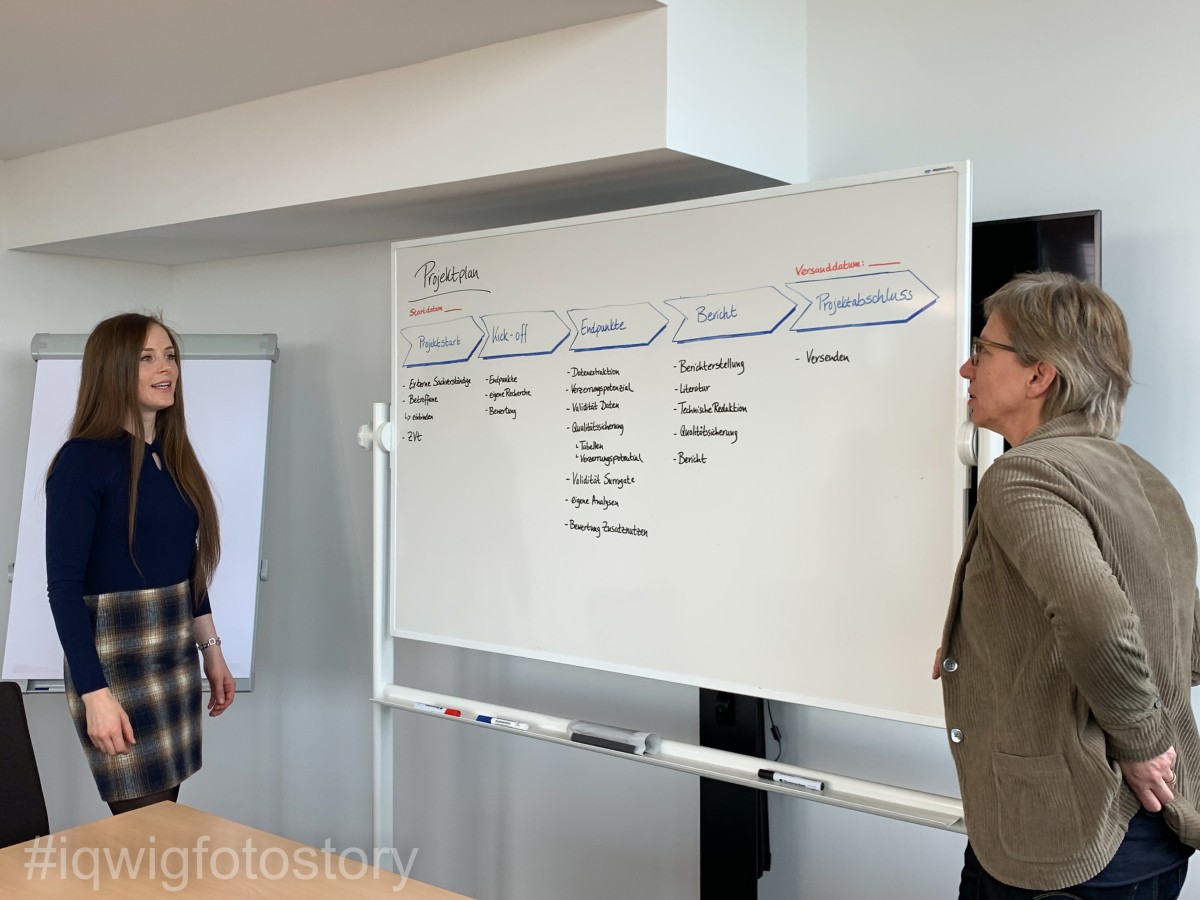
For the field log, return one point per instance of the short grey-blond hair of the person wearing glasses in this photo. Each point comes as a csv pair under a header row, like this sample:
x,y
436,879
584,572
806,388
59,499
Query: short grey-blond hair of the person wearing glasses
x,y
1081,331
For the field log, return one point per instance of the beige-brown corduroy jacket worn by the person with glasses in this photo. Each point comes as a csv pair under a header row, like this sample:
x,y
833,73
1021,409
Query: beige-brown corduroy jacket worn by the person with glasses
x,y
1071,644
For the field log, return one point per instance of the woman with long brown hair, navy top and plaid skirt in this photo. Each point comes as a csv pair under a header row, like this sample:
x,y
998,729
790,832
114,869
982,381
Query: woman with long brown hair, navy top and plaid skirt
x,y
131,544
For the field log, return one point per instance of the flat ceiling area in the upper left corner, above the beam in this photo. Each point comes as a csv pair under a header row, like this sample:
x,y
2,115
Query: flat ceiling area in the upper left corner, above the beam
x,y
76,70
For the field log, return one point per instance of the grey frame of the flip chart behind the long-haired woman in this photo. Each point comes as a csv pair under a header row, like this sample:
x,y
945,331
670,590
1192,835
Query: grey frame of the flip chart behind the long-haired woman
x,y
202,346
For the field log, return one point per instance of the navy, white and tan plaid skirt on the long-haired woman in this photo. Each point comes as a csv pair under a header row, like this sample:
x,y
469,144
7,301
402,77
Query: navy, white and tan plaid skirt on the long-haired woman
x,y
148,655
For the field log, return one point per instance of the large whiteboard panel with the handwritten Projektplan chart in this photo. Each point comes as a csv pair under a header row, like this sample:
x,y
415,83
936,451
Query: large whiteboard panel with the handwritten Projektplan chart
x,y
712,443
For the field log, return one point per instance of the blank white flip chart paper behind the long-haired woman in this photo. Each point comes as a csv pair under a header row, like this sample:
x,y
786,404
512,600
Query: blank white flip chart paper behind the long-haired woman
x,y
227,404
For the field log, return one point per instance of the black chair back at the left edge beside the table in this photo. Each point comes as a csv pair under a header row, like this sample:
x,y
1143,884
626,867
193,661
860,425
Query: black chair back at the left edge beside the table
x,y
22,802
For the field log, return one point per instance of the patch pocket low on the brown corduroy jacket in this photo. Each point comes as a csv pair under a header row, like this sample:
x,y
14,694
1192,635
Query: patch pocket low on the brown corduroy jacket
x,y
1039,809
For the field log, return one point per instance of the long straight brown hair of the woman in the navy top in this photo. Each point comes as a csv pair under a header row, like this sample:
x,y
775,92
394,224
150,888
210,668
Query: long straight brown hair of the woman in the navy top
x,y
109,409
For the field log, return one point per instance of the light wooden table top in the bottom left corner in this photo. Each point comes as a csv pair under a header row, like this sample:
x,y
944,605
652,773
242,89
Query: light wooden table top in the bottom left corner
x,y
169,850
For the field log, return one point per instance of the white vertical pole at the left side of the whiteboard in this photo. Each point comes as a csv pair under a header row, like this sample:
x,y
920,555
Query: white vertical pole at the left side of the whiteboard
x,y
375,437
